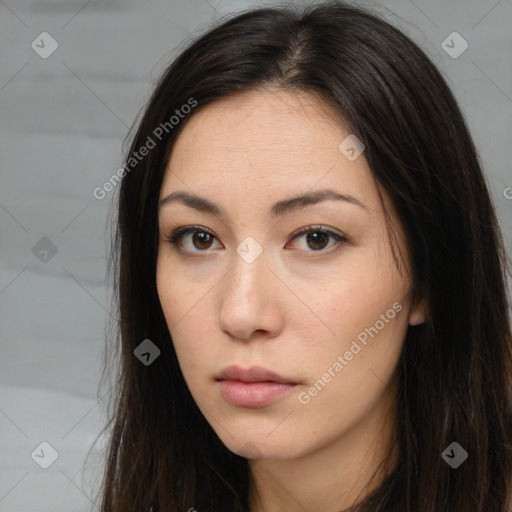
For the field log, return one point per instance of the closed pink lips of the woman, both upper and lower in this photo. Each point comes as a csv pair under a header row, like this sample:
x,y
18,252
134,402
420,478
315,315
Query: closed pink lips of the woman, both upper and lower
x,y
255,387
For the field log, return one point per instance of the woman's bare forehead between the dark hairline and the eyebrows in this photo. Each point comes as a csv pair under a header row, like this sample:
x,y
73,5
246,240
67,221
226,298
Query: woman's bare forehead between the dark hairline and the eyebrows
x,y
259,142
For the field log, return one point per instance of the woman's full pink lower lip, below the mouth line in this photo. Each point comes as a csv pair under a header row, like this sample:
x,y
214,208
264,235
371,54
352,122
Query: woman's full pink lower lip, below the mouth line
x,y
253,394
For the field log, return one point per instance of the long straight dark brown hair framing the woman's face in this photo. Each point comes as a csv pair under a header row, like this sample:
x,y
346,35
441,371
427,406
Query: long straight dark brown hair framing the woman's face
x,y
455,371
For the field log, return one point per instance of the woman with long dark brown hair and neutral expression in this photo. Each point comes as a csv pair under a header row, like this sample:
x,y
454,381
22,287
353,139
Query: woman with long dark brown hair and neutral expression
x,y
311,282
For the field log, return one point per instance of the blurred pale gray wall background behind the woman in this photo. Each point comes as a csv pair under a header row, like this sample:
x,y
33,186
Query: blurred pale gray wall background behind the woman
x,y
62,122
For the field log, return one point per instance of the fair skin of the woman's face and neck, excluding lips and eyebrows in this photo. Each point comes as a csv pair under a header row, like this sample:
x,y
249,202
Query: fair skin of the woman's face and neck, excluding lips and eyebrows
x,y
297,306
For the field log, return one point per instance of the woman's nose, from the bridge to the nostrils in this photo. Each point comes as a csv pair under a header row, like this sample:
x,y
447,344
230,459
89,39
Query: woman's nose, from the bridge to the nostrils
x,y
250,300
